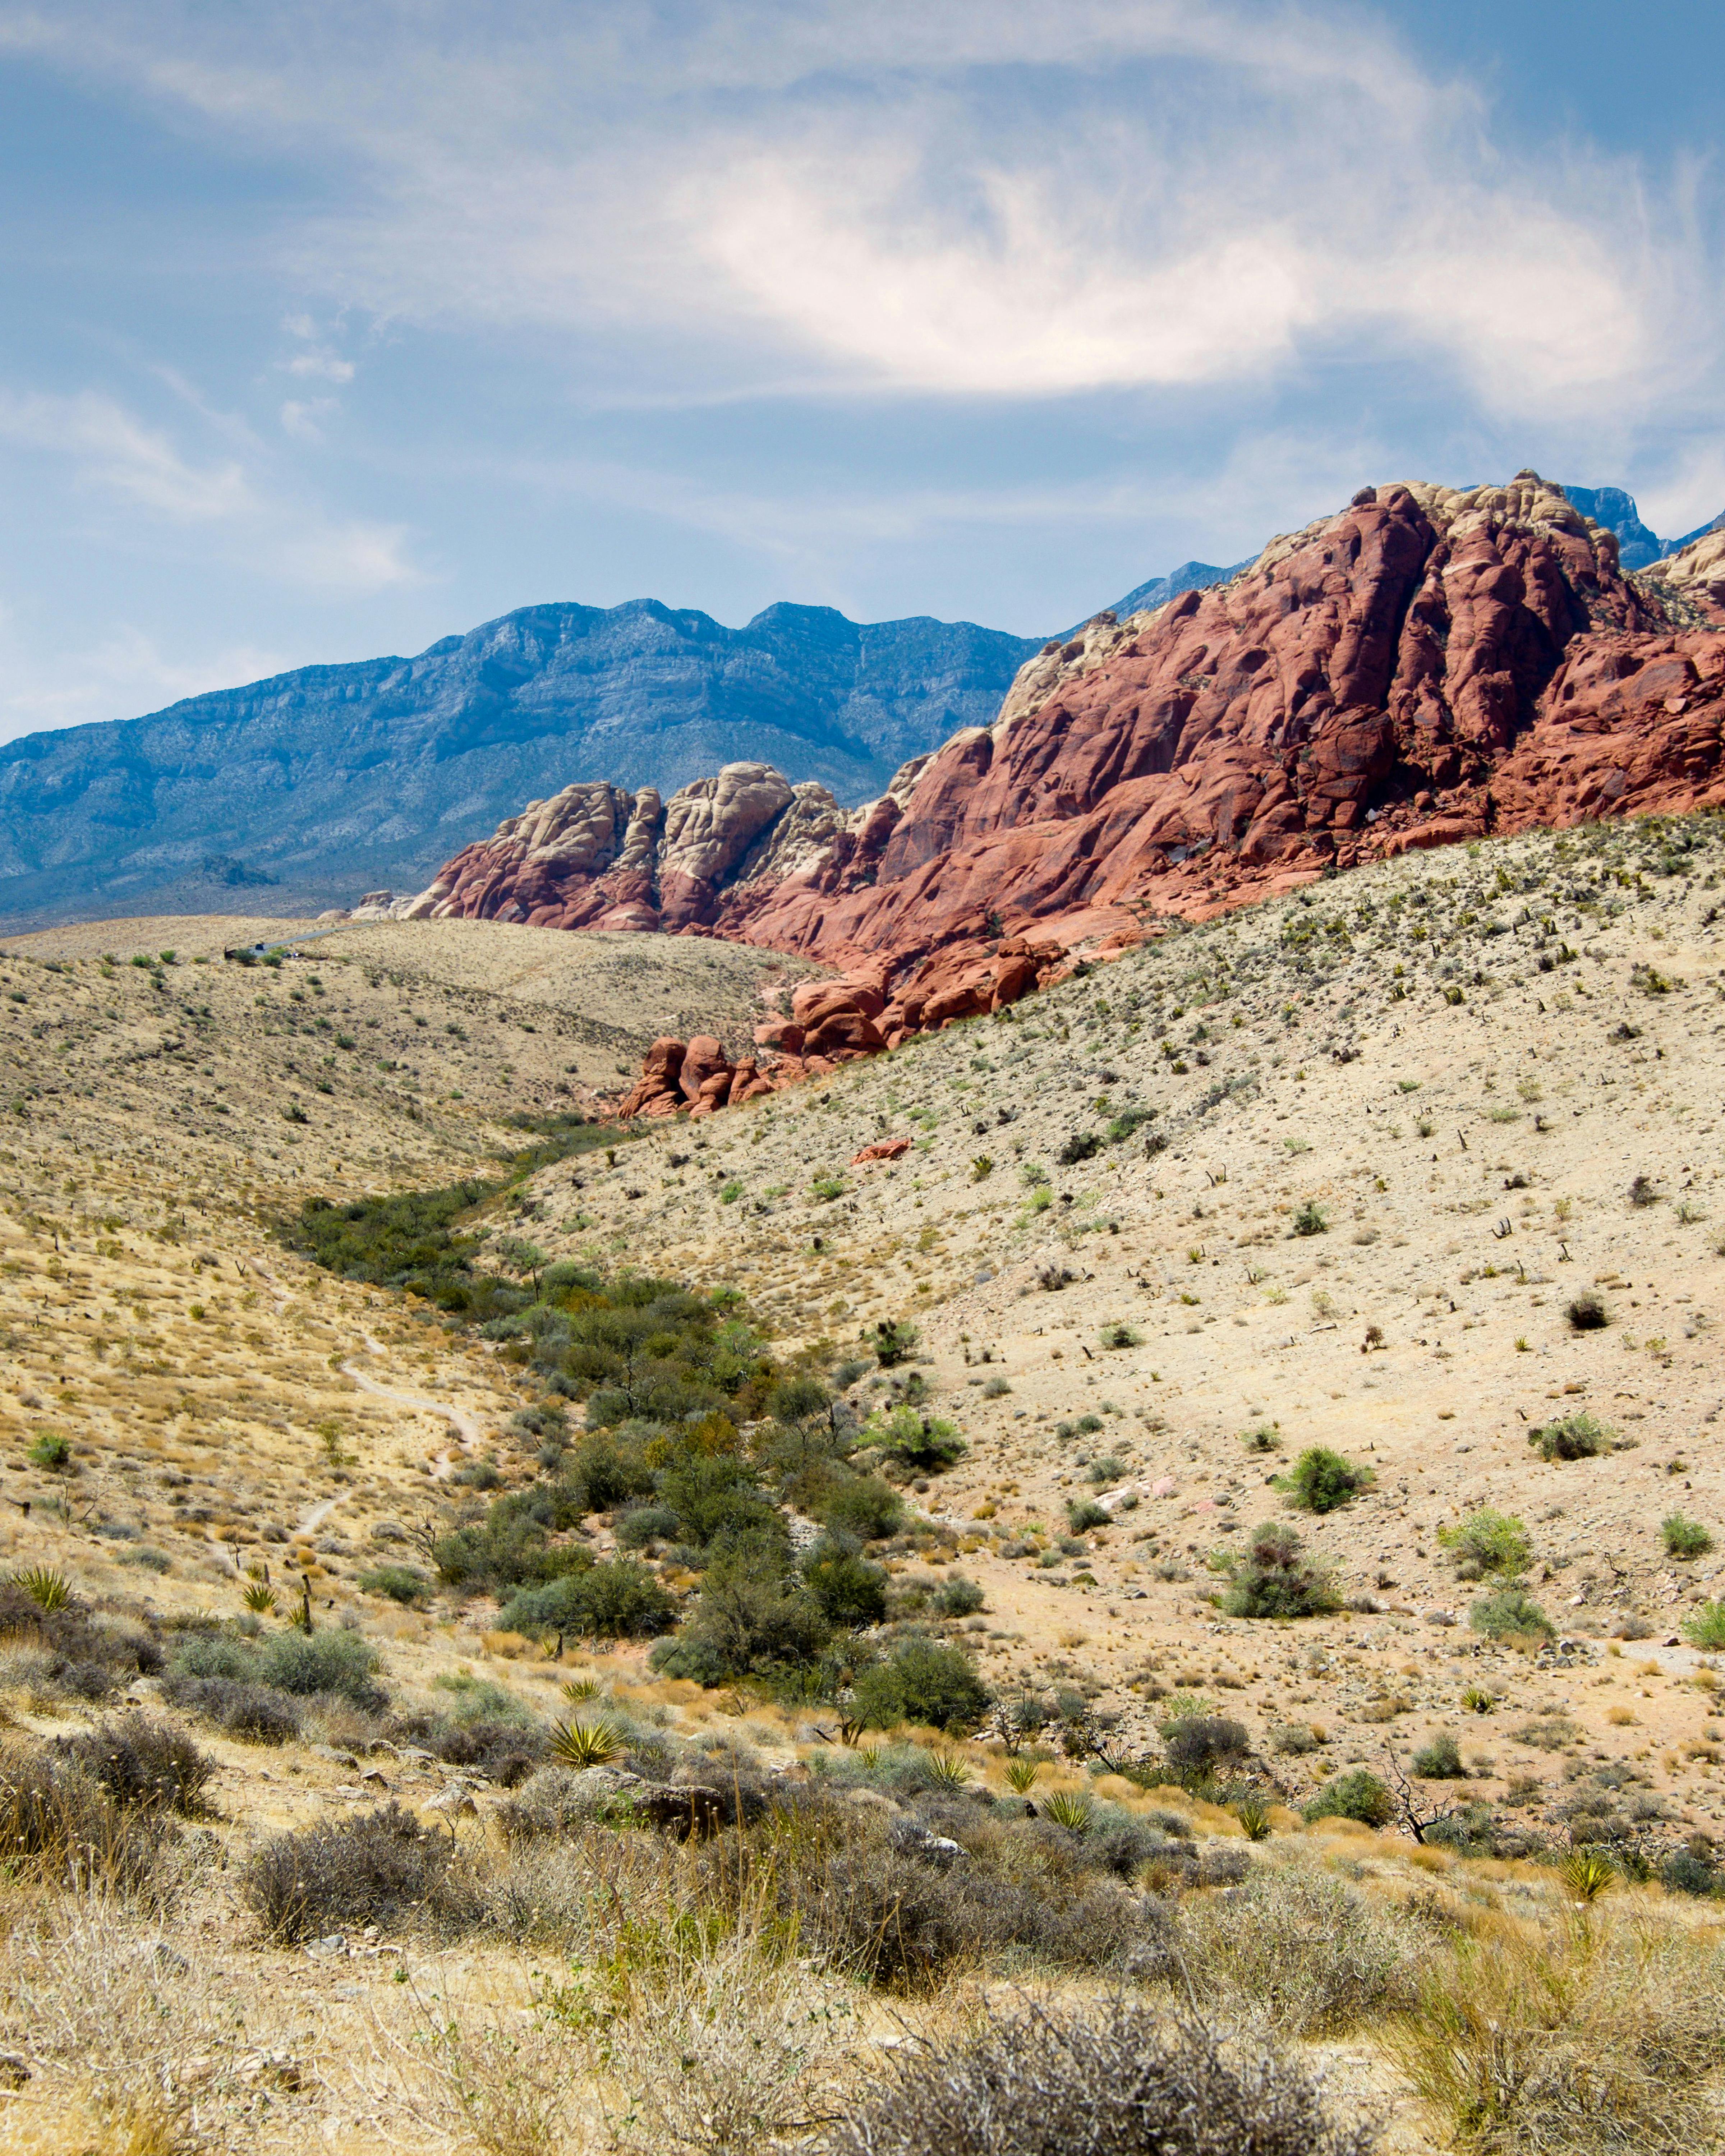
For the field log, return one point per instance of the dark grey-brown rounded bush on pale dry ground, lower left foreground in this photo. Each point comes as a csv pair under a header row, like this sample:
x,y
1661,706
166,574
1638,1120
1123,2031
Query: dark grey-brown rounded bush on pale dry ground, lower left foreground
x,y
378,1868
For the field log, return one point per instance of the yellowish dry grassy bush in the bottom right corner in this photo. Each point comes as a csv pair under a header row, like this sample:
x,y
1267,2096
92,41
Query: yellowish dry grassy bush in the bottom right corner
x,y
1601,2038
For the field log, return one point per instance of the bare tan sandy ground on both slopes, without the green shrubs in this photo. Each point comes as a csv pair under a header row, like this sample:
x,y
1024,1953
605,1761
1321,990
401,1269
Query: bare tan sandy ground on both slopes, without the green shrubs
x,y
1463,1062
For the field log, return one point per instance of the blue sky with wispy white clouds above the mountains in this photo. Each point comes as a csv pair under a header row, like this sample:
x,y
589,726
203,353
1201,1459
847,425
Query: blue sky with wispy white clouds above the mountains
x,y
329,331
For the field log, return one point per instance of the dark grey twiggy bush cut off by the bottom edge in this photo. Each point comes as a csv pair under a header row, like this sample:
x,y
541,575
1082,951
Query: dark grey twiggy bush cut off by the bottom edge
x,y
1094,2079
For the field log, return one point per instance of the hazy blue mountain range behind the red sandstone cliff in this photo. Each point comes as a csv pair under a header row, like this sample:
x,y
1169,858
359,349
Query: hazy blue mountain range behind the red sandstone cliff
x,y
322,782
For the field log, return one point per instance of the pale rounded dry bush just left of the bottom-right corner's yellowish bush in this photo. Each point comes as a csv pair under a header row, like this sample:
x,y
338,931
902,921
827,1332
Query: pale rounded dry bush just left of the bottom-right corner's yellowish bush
x,y
1306,1950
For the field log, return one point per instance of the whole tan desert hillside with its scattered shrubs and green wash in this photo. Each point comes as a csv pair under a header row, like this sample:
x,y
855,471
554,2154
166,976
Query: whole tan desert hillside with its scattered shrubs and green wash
x,y
1416,1165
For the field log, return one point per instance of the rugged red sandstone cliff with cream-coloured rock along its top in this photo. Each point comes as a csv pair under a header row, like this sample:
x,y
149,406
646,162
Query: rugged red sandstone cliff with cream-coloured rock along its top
x,y
1429,665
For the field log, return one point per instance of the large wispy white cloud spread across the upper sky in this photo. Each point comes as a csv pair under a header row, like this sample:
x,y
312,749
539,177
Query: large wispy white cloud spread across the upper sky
x,y
958,197
